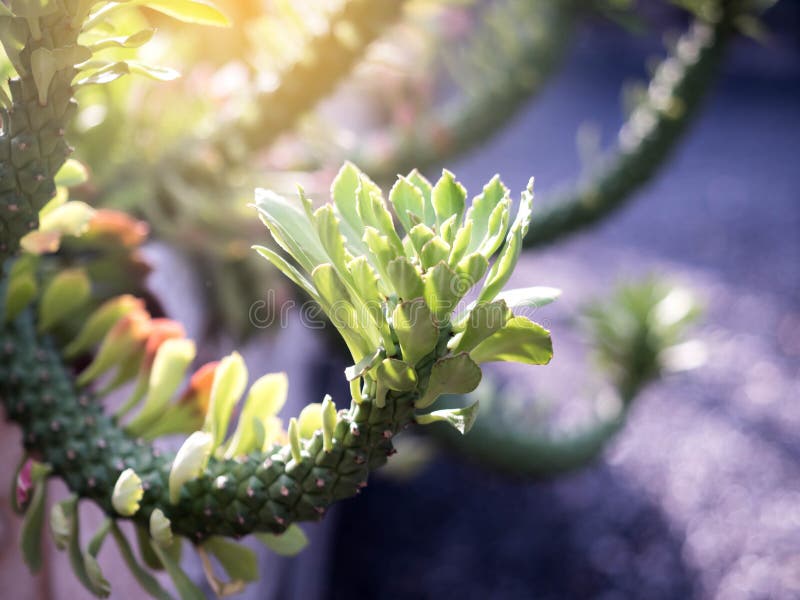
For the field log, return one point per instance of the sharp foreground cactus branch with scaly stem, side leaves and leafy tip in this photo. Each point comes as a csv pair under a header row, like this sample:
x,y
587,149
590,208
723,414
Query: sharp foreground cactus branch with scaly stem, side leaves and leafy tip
x,y
408,343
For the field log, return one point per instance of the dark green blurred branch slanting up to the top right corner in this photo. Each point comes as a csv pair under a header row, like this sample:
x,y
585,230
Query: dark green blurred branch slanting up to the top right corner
x,y
648,137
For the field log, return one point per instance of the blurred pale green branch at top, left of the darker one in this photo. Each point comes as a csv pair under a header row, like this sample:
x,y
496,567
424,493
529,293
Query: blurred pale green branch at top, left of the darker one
x,y
519,71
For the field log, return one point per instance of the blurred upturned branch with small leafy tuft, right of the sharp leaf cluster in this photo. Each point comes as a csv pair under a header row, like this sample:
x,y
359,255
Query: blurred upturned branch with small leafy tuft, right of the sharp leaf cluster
x,y
632,334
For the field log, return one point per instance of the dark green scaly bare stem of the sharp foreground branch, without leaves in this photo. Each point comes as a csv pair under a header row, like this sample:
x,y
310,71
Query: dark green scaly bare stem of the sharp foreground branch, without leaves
x,y
65,427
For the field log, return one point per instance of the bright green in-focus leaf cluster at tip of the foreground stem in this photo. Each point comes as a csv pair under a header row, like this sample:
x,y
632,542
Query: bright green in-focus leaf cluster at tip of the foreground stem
x,y
392,277
